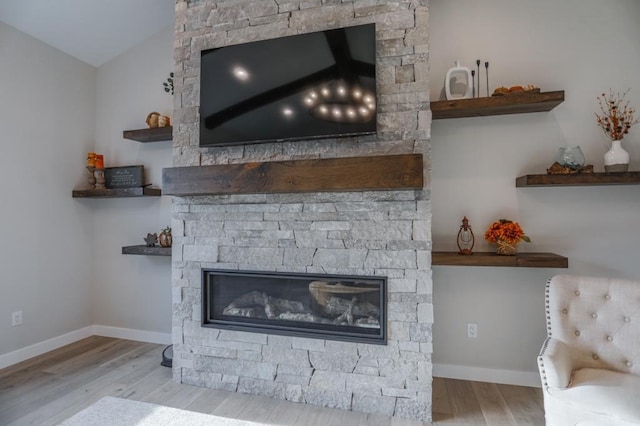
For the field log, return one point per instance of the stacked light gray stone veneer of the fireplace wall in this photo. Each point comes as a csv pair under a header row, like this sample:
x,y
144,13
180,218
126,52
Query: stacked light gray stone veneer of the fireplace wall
x,y
383,233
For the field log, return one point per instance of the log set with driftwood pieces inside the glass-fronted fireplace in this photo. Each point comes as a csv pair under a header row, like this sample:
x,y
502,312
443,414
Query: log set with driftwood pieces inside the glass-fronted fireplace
x,y
331,303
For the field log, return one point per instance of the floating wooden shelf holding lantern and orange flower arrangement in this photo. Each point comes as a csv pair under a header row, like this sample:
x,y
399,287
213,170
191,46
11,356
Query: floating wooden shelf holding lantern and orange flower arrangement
x,y
520,260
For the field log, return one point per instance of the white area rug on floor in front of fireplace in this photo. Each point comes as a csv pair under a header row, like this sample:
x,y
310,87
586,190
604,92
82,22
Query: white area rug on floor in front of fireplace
x,y
111,411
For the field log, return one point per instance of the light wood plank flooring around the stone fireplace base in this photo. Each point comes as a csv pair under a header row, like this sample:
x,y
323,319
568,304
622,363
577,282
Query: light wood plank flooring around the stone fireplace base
x,y
52,387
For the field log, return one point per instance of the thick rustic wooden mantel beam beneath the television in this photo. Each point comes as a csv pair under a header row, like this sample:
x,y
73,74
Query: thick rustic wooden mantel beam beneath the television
x,y
385,172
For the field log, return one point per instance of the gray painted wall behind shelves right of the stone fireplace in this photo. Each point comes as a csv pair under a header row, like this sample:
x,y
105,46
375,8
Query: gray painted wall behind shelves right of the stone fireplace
x,y
584,48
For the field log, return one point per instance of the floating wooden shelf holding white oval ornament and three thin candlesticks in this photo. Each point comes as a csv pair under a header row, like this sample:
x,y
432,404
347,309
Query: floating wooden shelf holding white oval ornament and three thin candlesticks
x,y
497,105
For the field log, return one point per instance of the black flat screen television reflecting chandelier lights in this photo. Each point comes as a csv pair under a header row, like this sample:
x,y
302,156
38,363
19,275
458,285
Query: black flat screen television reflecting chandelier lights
x,y
308,86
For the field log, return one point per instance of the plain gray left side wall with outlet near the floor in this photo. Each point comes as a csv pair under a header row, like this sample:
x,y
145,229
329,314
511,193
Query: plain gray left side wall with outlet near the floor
x,y
47,113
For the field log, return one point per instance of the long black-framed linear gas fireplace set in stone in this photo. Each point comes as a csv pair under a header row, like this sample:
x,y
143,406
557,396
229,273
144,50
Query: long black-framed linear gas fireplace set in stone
x,y
335,307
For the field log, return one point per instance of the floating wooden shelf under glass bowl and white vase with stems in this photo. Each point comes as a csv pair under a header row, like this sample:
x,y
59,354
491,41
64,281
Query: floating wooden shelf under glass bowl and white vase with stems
x,y
586,179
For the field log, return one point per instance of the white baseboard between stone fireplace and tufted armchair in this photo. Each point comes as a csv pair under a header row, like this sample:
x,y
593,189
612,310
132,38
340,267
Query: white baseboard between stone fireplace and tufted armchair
x,y
490,375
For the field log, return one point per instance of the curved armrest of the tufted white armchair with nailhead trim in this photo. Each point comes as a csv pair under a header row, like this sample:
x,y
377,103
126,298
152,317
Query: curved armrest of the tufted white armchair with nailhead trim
x,y
554,363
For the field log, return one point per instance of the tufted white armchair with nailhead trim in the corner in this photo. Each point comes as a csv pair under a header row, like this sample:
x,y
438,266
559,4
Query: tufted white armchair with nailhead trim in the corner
x,y
590,362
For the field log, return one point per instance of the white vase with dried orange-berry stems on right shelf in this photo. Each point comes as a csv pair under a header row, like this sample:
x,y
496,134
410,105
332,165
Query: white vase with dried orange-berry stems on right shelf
x,y
615,120
